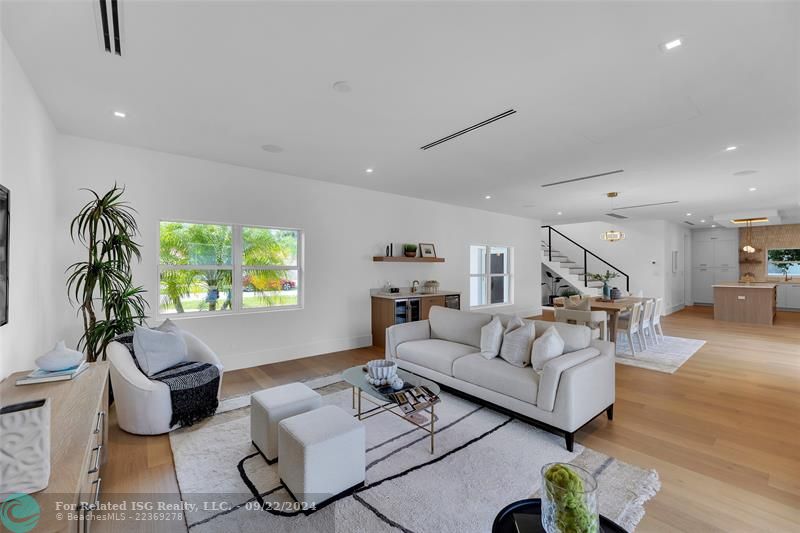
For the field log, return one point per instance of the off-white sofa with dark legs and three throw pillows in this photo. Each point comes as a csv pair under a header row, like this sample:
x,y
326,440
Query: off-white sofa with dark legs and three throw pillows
x,y
571,390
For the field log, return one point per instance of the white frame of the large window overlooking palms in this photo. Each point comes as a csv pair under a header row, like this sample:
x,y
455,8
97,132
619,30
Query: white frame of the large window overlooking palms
x,y
236,267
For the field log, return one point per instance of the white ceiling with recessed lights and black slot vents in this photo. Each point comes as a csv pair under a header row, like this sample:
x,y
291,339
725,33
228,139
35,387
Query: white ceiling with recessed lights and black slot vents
x,y
592,89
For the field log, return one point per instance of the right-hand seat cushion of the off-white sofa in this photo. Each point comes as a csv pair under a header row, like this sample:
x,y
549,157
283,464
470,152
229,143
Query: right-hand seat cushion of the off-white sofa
x,y
498,376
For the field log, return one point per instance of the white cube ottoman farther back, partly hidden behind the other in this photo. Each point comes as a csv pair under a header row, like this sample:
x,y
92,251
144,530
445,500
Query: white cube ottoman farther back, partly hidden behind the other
x,y
270,406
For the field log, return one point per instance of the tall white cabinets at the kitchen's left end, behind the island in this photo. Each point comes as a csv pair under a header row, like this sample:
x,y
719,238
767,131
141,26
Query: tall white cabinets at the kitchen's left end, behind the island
x,y
715,259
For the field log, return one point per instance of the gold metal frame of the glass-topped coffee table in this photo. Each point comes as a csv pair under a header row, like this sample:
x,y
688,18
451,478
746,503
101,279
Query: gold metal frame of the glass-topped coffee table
x,y
358,386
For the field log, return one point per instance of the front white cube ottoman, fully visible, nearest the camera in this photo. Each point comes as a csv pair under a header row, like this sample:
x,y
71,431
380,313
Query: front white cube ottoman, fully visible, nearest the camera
x,y
323,453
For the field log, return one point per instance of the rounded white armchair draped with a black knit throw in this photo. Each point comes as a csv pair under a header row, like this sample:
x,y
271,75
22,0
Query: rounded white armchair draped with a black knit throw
x,y
144,406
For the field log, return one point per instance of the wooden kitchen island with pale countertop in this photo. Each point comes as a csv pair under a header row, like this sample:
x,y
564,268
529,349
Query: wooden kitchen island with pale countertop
x,y
752,303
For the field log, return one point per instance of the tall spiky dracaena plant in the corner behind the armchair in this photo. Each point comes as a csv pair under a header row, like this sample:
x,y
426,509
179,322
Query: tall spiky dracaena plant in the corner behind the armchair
x,y
102,285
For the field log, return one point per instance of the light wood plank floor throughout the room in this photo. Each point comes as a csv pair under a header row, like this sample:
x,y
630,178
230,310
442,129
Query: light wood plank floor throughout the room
x,y
723,432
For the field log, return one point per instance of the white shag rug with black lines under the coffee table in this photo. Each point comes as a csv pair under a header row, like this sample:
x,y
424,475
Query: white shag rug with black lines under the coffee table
x,y
484,460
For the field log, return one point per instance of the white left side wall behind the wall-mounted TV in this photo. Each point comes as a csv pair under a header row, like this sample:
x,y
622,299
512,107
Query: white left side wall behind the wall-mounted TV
x,y
27,153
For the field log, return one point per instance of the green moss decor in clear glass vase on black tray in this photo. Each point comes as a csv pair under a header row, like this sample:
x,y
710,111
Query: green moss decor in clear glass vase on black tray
x,y
569,499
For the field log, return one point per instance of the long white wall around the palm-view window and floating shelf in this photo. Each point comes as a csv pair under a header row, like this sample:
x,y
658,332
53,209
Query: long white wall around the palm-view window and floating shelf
x,y
344,227
